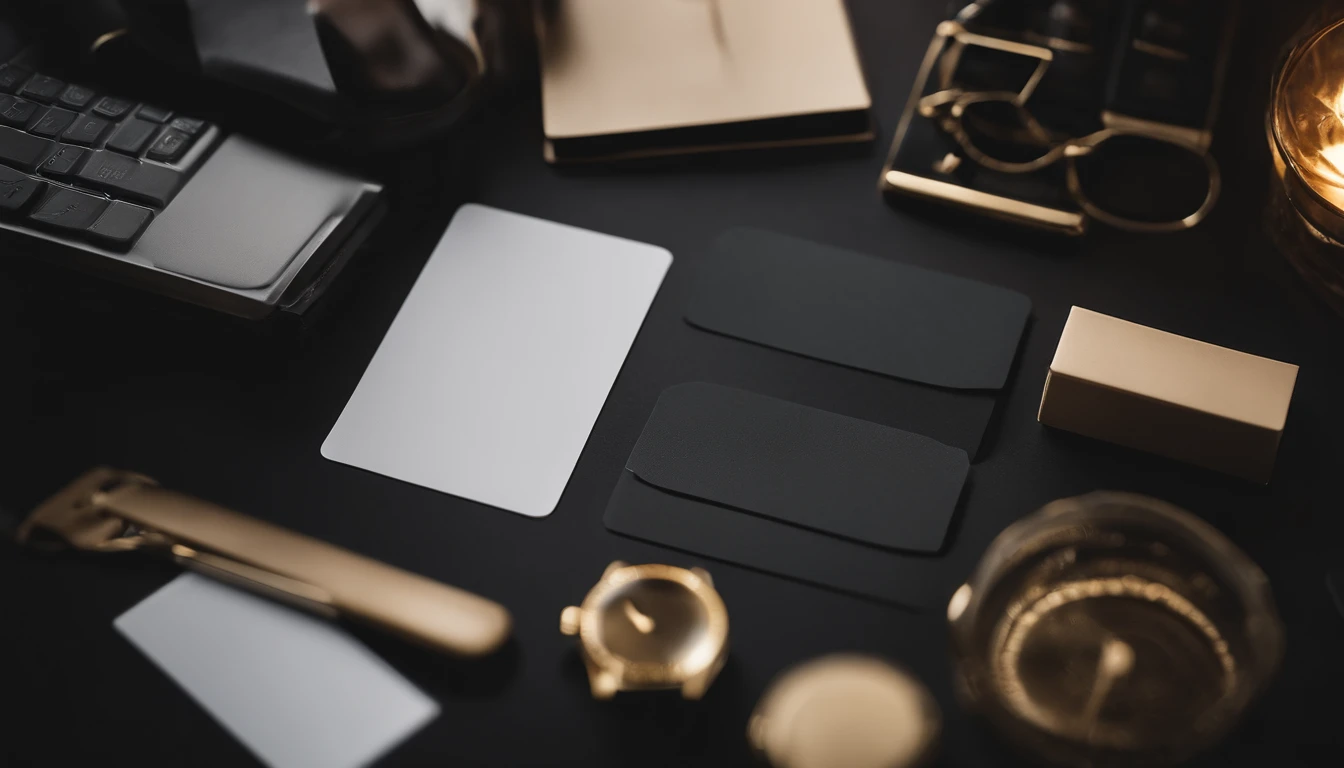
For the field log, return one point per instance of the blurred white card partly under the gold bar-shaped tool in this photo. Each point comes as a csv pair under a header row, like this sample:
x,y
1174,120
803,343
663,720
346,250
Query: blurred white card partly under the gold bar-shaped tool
x,y
295,689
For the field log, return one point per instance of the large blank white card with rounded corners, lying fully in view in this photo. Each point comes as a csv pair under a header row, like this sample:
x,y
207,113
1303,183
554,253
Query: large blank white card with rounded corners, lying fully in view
x,y
494,372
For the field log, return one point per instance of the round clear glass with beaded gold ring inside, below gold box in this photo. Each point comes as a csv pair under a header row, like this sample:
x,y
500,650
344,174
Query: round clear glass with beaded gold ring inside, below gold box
x,y
1114,630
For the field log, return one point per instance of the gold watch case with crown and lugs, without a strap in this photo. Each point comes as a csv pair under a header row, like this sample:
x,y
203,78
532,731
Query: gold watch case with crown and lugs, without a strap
x,y
651,627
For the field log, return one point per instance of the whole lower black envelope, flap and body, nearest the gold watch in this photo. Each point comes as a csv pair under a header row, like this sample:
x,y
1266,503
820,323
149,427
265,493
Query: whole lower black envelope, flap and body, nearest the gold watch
x,y
788,490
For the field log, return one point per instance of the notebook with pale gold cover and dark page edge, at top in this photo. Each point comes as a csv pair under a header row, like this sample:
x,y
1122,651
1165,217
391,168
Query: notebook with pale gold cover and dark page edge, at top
x,y
639,79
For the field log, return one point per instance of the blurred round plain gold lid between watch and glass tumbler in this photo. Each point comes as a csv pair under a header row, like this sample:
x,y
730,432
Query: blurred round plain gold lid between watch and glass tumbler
x,y
850,711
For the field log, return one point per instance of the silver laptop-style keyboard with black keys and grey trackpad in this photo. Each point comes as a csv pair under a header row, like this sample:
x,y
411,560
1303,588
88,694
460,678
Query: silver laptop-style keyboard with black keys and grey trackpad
x,y
138,193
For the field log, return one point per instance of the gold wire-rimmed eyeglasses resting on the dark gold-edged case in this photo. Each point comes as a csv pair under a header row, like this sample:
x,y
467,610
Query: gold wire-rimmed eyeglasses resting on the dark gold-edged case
x,y
1108,173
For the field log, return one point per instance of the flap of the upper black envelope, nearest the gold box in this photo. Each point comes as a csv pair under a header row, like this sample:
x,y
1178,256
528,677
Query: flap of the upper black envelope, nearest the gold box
x,y
858,311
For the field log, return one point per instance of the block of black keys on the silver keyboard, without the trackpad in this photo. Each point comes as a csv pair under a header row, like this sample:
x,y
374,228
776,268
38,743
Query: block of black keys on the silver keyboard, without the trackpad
x,y
85,165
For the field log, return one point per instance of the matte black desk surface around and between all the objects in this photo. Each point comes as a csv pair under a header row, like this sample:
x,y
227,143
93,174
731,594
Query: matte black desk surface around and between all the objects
x,y
213,411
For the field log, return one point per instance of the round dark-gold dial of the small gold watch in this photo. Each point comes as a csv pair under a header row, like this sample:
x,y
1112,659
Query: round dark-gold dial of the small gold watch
x,y
654,622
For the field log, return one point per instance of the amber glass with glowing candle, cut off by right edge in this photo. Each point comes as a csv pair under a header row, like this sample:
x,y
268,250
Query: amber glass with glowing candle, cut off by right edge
x,y
1306,130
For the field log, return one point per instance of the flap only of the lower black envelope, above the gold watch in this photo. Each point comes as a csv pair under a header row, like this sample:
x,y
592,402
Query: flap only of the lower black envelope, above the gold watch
x,y
802,466
